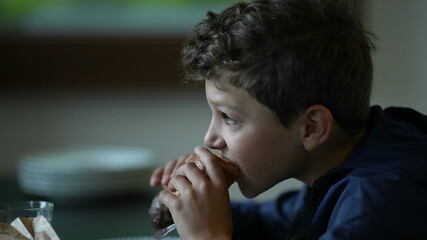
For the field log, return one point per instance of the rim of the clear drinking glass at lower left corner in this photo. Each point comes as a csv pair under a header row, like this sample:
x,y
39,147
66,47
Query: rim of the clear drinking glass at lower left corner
x,y
31,205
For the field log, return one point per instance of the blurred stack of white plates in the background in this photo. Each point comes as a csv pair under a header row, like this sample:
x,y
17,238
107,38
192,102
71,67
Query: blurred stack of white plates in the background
x,y
86,173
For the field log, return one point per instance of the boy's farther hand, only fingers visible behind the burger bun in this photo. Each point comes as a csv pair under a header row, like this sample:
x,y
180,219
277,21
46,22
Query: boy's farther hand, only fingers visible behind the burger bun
x,y
162,175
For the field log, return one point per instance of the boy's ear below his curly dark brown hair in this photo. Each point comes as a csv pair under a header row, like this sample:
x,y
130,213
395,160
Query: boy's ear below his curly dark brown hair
x,y
317,126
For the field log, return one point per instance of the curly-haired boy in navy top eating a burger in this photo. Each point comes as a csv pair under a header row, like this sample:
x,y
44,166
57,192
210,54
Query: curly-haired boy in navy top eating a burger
x,y
289,84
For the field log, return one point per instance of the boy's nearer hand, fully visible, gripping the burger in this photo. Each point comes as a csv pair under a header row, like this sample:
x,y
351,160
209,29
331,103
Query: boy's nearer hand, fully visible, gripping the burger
x,y
201,210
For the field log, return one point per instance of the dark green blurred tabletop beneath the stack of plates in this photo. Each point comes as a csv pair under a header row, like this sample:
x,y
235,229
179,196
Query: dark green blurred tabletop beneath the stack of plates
x,y
120,216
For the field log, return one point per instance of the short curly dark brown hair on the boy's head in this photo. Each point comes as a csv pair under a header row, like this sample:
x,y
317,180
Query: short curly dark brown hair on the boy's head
x,y
289,55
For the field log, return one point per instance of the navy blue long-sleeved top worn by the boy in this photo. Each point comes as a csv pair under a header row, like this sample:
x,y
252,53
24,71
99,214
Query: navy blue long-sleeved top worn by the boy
x,y
380,192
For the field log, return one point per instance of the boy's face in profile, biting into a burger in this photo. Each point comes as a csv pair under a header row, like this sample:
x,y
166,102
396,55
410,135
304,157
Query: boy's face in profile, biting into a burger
x,y
252,137
